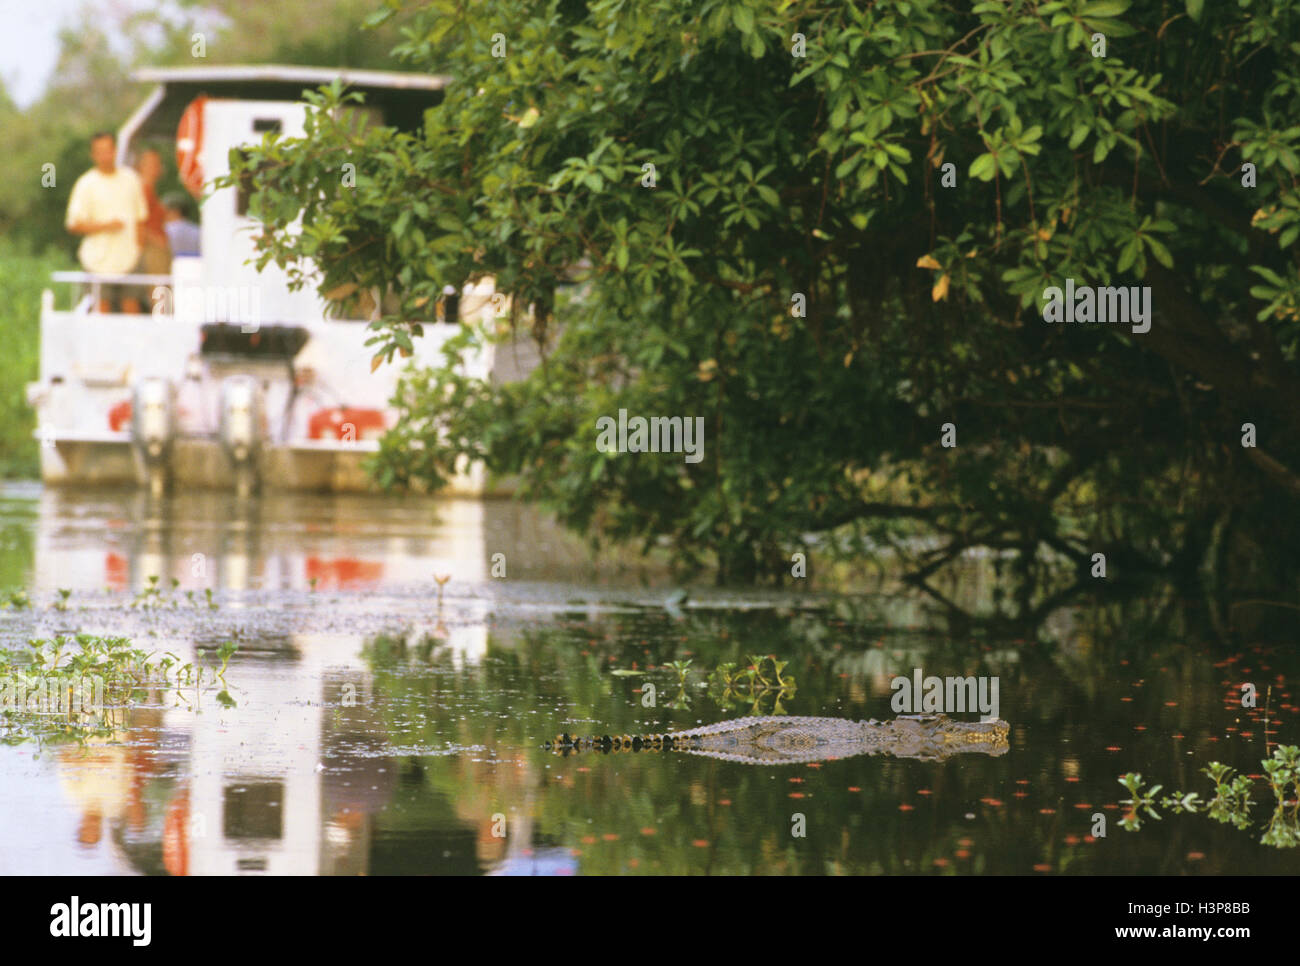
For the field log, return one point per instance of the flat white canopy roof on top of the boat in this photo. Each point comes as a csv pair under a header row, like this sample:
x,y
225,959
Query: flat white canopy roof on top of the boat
x,y
402,97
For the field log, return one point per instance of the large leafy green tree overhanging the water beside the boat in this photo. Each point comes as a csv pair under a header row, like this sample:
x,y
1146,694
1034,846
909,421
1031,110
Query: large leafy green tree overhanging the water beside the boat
x,y
804,151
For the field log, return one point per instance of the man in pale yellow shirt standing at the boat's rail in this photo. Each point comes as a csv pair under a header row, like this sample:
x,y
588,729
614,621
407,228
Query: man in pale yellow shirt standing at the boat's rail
x,y
109,209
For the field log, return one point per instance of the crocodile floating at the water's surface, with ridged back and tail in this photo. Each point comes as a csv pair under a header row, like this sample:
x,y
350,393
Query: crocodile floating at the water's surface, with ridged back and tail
x,y
786,740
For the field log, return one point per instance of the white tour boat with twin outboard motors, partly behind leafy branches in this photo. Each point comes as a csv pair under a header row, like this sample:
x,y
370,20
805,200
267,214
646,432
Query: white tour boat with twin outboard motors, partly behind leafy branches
x,y
232,380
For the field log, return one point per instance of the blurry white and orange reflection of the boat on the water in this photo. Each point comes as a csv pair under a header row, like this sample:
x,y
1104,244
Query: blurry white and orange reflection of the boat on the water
x,y
297,778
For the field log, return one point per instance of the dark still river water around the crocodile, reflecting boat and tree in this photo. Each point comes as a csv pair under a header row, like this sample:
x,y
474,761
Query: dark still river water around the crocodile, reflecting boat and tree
x,y
382,731
